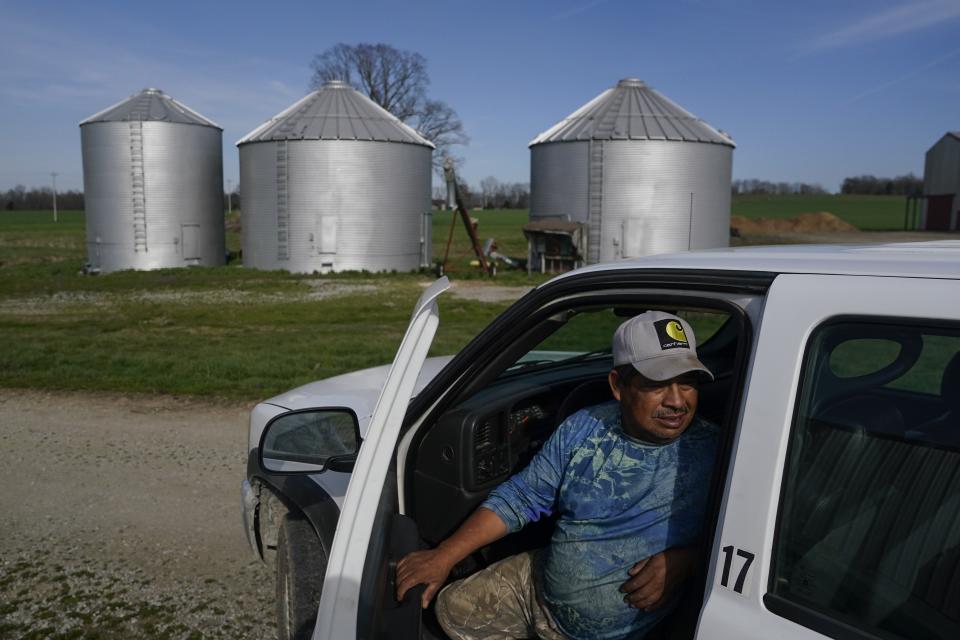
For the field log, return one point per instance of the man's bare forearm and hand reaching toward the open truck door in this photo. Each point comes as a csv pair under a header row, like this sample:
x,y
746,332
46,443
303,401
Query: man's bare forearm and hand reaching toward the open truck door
x,y
433,566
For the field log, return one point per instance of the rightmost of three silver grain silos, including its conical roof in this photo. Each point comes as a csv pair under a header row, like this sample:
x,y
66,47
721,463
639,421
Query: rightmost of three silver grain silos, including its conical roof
x,y
639,172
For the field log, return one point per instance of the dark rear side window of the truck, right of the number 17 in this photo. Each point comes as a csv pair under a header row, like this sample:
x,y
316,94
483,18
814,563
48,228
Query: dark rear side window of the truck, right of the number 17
x,y
868,534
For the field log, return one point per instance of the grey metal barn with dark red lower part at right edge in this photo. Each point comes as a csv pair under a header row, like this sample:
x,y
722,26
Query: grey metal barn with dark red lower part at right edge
x,y
941,185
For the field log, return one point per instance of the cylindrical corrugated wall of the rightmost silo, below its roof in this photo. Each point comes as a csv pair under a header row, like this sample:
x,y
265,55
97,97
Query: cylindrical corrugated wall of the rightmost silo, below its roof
x,y
636,194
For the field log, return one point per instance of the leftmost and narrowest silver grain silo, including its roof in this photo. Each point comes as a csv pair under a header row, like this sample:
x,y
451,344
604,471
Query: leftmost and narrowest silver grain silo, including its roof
x,y
153,183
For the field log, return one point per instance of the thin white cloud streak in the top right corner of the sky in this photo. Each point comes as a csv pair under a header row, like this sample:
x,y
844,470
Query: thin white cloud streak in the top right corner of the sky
x,y
898,20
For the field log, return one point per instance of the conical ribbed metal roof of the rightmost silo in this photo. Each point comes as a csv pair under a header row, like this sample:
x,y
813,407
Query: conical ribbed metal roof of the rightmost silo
x,y
632,111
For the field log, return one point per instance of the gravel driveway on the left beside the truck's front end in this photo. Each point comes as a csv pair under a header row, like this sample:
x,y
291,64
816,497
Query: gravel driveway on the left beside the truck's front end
x,y
121,519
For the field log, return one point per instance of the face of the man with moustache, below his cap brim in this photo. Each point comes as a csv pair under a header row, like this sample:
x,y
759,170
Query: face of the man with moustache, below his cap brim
x,y
656,411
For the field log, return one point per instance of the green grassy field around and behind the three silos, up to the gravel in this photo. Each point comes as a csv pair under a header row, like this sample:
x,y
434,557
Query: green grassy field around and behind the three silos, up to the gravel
x,y
243,334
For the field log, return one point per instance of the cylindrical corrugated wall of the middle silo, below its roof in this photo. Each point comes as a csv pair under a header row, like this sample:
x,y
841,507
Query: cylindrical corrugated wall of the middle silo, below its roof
x,y
335,205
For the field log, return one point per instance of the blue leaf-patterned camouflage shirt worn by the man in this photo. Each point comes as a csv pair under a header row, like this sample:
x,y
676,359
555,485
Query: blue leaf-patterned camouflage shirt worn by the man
x,y
619,500
